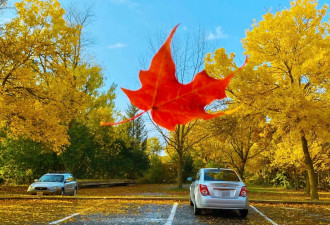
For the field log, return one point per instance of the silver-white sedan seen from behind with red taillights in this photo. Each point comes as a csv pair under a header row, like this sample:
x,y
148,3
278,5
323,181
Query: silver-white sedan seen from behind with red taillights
x,y
218,188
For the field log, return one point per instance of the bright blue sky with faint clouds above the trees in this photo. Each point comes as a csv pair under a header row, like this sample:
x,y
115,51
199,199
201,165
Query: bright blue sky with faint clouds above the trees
x,y
120,30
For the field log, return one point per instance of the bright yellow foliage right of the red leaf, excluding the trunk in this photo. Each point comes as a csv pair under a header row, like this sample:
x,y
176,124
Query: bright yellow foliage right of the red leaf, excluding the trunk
x,y
286,80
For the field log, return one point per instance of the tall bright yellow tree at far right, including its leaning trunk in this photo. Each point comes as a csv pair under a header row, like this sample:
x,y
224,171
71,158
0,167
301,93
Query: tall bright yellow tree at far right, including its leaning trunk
x,y
291,54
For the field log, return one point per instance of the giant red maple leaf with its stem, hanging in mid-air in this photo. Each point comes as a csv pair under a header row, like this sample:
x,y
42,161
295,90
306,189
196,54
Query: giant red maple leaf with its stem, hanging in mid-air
x,y
169,101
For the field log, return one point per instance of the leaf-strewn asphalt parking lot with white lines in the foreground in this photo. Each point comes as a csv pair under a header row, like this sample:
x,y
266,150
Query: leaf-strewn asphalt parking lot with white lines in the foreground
x,y
78,211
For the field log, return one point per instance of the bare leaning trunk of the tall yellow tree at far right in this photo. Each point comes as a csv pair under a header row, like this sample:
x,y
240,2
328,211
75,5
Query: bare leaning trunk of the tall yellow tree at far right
x,y
310,170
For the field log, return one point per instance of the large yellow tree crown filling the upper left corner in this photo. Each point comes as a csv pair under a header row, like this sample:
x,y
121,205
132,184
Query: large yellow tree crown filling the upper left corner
x,y
43,81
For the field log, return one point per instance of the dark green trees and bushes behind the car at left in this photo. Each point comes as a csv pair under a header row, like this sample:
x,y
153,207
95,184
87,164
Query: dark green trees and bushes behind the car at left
x,y
23,160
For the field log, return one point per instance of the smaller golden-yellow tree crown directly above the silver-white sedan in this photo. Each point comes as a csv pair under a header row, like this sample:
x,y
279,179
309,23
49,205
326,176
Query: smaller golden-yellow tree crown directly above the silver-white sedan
x,y
233,140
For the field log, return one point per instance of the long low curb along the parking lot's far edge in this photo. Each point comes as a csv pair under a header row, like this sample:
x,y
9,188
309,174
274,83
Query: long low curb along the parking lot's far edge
x,y
150,198
